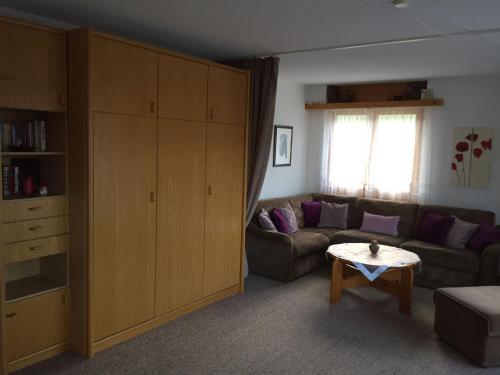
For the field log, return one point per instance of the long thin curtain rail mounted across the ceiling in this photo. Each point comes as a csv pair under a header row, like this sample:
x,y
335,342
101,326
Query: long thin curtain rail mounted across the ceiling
x,y
387,42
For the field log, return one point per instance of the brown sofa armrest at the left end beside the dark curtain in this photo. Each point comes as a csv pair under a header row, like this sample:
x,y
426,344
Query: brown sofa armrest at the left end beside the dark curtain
x,y
269,253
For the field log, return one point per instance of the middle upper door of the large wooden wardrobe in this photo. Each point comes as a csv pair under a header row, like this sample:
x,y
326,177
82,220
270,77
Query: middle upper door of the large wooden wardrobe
x,y
182,88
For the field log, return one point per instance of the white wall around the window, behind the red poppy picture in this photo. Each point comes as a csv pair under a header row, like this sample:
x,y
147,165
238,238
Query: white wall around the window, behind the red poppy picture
x,y
469,101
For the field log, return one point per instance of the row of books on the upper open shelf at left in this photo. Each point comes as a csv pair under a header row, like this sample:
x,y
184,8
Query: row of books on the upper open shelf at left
x,y
27,136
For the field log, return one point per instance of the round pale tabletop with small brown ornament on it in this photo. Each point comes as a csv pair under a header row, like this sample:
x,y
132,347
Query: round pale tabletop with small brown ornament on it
x,y
390,256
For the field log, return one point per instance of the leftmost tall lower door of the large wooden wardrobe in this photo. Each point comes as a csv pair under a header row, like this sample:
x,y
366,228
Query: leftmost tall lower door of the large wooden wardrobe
x,y
124,222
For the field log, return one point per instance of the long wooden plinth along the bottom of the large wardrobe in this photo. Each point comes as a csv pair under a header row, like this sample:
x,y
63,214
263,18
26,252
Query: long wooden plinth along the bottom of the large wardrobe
x,y
162,319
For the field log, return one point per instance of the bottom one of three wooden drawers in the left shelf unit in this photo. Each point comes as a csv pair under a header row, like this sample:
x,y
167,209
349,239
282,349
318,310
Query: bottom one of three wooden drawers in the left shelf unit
x,y
19,251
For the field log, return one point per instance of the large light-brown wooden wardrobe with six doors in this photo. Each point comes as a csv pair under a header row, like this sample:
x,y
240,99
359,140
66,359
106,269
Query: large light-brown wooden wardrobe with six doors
x,y
157,165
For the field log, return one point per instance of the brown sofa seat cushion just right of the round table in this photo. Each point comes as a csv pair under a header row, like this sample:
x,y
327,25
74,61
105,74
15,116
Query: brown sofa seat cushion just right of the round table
x,y
444,256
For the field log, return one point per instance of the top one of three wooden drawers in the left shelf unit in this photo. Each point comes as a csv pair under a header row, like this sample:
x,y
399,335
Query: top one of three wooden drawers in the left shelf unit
x,y
34,209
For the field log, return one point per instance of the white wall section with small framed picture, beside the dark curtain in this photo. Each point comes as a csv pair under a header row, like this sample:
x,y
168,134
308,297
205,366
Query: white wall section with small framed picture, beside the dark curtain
x,y
283,181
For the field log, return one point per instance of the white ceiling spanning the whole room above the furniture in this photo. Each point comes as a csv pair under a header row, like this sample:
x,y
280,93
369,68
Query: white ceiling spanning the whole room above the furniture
x,y
221,29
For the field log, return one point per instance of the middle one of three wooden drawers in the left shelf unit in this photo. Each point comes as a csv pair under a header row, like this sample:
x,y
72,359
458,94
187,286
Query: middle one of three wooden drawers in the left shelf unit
x,y
32,229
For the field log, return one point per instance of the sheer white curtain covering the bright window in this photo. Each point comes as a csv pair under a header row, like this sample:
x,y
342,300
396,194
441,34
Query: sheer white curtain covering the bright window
x,y
373,153
